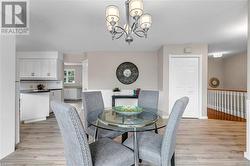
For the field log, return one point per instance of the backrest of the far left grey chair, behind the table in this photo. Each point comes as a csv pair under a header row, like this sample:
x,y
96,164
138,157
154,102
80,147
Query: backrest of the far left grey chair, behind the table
x,y
93,105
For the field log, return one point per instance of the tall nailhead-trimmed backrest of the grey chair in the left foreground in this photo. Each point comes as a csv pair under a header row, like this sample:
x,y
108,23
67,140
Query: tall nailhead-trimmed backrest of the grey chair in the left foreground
x,y
76,145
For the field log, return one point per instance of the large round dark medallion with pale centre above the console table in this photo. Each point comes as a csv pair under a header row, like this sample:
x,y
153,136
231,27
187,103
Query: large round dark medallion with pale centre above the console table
x,y
127,73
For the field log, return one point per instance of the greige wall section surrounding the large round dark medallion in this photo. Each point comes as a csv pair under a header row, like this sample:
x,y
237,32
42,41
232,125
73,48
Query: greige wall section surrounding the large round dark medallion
x,y
102,69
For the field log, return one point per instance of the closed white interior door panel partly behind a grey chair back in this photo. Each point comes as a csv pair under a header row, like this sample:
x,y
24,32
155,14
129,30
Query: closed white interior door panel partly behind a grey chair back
x,y
184,80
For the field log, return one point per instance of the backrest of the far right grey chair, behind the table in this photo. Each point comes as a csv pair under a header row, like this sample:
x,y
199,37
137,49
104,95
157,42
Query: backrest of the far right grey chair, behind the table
x,y
148,99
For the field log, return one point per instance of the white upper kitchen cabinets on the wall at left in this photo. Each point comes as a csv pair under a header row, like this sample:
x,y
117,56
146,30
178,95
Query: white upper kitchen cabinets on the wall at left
x,y
40,65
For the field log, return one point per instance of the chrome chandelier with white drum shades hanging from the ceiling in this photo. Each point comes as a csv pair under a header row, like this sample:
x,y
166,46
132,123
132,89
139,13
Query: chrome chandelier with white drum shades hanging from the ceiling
x,y
139,27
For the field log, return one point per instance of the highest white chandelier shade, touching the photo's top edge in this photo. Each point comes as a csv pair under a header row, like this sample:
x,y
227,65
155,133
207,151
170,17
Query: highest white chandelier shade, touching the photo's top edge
x,y
135,8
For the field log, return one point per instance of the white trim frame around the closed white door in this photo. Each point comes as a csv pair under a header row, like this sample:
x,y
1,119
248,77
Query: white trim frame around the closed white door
x,y
200,98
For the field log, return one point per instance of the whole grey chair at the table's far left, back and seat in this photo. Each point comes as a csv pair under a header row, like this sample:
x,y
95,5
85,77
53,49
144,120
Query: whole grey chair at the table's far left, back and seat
x,y
93,106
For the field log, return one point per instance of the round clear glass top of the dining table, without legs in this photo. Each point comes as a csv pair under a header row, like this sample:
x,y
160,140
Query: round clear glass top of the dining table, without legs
x,y
148,120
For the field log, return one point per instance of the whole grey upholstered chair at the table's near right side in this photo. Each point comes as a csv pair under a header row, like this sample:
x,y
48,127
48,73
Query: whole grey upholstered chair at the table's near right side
x,y
158,149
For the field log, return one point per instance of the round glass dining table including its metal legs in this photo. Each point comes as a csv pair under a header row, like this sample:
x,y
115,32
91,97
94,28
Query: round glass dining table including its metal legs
x,y
145,121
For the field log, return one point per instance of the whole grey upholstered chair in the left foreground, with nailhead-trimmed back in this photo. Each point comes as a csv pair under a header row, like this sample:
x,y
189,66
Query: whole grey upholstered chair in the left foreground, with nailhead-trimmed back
x,y
78,152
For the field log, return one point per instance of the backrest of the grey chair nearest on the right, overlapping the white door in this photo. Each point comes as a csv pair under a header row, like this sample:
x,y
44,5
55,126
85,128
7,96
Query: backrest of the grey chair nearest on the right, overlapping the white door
x,y
169,138
